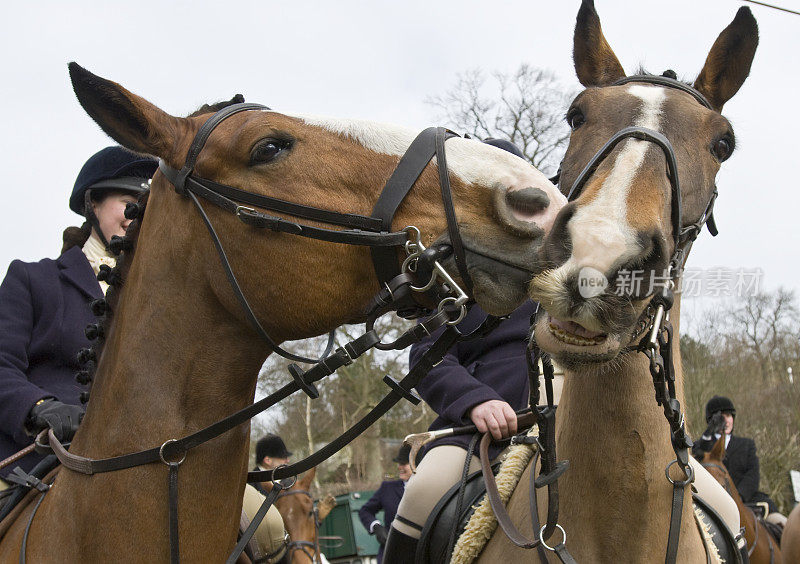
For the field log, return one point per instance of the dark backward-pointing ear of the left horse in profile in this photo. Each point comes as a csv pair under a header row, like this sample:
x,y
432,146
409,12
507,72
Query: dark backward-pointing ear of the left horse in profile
x,y
129,119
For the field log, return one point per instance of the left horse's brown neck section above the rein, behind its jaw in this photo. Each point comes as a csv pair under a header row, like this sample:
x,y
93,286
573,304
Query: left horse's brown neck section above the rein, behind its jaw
x,y
175,359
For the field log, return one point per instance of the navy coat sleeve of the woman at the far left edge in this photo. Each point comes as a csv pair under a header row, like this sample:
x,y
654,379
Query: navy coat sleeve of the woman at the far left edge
x,y
17,393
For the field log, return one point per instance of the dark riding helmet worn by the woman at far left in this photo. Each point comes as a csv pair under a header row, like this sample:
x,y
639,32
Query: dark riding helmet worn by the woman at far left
x,y
110,169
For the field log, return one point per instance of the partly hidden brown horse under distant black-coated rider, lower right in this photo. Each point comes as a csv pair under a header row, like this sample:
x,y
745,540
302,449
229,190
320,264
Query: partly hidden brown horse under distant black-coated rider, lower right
x,y
761,546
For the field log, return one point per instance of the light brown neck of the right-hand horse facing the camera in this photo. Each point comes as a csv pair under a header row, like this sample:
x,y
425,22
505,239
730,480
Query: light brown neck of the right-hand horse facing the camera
x,y
617,441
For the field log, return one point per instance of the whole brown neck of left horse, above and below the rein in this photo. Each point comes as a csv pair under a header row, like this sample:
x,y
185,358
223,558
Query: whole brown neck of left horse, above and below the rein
x,y
175,361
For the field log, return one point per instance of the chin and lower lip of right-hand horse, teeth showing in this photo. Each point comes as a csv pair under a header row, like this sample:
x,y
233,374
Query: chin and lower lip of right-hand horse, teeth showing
x,y
579,353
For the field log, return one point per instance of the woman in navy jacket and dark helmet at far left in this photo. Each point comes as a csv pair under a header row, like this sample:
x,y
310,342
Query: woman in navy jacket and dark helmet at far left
x,y
44,307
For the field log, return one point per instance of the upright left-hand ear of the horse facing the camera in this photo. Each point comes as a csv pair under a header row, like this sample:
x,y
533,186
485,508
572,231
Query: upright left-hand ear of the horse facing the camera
x,y
595,62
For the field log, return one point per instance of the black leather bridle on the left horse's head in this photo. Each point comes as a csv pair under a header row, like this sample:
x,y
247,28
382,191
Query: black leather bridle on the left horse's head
x,y
371,231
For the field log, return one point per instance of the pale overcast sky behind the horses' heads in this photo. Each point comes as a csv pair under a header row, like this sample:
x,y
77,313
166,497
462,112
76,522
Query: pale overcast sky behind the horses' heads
x,y
376,60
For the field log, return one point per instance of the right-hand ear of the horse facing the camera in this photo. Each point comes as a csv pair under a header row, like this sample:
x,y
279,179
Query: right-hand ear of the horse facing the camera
x,y
728,63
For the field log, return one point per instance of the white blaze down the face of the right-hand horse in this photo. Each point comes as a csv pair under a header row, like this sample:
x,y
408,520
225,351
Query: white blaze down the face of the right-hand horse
x,y
599,230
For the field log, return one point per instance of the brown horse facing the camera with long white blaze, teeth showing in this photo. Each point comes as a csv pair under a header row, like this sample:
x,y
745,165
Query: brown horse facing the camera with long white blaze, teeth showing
x,y
614,498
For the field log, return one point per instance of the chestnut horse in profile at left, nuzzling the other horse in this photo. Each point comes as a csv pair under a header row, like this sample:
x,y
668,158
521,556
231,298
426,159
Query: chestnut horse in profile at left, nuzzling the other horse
x,y
180,354
